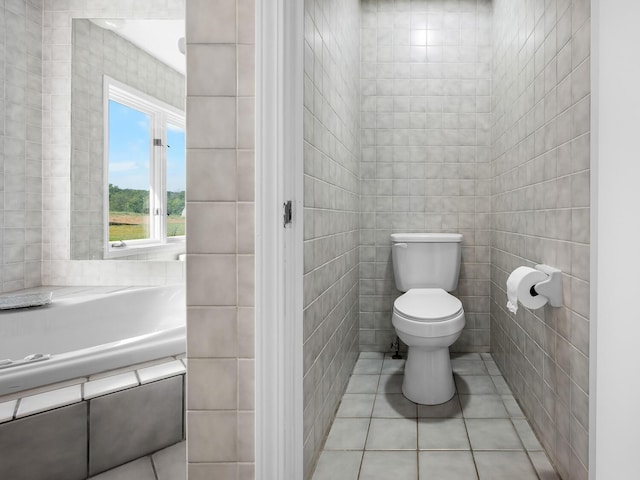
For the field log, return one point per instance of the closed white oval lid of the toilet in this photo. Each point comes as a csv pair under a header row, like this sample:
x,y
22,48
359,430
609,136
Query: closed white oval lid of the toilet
x,y
427,305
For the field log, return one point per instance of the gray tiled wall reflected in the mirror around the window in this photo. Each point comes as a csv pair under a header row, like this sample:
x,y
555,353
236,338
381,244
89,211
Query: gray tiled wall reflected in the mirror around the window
x,y
98,52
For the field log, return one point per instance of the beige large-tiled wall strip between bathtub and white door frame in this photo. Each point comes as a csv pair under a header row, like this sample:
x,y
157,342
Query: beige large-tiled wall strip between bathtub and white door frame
x,y
220,249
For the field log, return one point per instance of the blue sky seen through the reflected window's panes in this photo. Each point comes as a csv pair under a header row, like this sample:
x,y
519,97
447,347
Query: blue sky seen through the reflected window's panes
x,y
129,150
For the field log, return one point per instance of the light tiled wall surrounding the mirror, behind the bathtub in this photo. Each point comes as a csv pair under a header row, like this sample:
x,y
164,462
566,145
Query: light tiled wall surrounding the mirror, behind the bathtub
x,y
57,266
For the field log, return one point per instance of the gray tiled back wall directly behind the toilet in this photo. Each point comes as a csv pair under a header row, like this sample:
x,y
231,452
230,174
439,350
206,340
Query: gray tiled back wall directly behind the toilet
x,y
426,86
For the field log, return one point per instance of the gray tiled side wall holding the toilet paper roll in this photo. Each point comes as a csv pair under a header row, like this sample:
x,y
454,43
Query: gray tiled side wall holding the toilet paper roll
x,y
540,214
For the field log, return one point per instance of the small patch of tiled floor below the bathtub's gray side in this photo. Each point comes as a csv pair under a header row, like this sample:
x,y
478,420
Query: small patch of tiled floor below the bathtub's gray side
x,y
167,464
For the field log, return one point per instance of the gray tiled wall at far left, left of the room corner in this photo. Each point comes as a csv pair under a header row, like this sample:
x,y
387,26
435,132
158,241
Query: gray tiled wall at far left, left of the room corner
x,y
20,144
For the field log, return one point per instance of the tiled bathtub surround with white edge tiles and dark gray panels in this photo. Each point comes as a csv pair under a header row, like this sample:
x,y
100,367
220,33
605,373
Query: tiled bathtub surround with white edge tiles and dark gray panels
x,y
78,429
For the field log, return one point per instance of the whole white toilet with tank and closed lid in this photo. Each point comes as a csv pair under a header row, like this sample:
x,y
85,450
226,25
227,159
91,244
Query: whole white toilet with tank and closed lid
x,y
427,318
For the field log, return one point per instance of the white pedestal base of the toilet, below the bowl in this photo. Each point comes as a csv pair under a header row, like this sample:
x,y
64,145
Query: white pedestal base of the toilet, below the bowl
x,y
428,378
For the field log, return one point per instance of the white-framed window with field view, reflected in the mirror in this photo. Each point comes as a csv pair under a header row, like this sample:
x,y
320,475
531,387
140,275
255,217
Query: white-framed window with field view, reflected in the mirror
x,y
145,165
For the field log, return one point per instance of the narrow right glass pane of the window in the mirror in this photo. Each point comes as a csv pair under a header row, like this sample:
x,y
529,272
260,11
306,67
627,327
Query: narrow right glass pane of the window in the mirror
x,y
176,180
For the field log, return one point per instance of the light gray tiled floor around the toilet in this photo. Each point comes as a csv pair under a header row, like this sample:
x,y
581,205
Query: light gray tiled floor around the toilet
x,y
480,433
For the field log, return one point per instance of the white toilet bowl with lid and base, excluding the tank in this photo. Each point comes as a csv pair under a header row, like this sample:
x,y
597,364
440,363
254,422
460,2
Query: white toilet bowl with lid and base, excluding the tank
x,y
428,321
